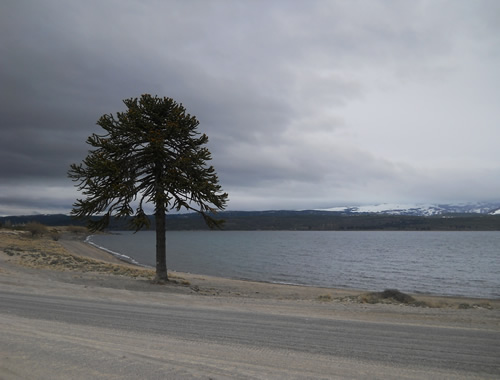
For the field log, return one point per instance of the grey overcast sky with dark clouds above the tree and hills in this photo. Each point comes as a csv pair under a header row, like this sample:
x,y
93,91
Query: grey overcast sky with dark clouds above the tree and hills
x,y
307,104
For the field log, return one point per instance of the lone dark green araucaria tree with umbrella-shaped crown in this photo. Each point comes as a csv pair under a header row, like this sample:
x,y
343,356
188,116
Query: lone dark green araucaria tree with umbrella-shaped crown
x,y
152,153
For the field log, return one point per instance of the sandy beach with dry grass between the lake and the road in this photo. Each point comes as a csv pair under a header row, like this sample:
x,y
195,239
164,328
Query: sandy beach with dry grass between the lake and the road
x,y
71,268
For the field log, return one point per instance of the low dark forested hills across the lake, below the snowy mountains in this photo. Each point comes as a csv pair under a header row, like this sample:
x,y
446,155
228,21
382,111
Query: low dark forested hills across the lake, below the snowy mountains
x,y
298,220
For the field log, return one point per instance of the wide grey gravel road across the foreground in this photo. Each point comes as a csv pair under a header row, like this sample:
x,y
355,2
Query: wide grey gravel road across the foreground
x,y
88,338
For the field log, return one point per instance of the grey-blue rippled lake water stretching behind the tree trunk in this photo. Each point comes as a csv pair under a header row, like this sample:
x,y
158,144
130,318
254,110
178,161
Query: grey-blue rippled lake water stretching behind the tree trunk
x,y
443,263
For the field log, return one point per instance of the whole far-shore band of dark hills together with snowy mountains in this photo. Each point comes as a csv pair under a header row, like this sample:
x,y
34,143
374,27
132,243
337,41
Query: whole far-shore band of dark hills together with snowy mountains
x,y
410,217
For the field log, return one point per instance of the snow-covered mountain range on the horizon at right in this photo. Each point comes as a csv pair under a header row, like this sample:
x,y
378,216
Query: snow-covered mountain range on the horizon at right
x,y
492,208
